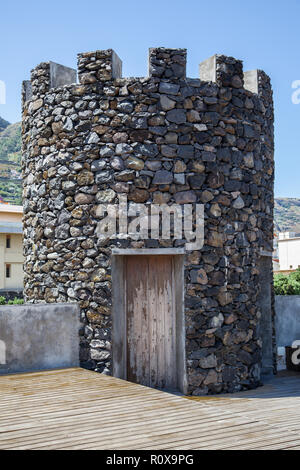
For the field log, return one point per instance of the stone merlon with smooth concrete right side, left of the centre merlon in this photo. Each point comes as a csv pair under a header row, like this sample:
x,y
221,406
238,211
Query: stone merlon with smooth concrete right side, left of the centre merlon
x,y
99,66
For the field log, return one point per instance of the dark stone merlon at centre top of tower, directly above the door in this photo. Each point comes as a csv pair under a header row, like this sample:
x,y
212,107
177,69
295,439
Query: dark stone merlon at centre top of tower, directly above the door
x,y
167,63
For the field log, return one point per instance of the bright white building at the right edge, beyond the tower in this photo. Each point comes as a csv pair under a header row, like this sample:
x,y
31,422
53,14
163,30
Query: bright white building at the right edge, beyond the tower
x,y
289,251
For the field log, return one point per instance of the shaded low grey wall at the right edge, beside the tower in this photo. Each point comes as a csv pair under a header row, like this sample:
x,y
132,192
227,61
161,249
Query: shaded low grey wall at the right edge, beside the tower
x,y
287,319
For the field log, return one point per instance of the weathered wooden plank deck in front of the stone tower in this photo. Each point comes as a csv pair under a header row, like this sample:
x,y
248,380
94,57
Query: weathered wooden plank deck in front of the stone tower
x,y
79,409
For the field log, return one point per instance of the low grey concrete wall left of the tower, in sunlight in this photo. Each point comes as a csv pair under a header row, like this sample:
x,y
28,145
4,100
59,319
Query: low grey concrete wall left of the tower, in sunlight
x,y
37,337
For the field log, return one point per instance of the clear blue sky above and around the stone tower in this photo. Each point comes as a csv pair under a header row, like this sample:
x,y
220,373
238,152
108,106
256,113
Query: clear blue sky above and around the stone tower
x,y
263,33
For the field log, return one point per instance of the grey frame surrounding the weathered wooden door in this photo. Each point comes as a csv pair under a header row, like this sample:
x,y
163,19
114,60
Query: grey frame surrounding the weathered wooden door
x,y
119,320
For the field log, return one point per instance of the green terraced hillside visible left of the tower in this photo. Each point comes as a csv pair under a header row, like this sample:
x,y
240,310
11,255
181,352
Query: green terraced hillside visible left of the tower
x,y
10,162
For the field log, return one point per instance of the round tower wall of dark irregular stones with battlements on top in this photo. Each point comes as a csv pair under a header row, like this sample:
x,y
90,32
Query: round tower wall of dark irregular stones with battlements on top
x,y
164,138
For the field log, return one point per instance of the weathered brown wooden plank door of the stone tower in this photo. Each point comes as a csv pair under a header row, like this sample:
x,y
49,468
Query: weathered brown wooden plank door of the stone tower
x,y
151,321
